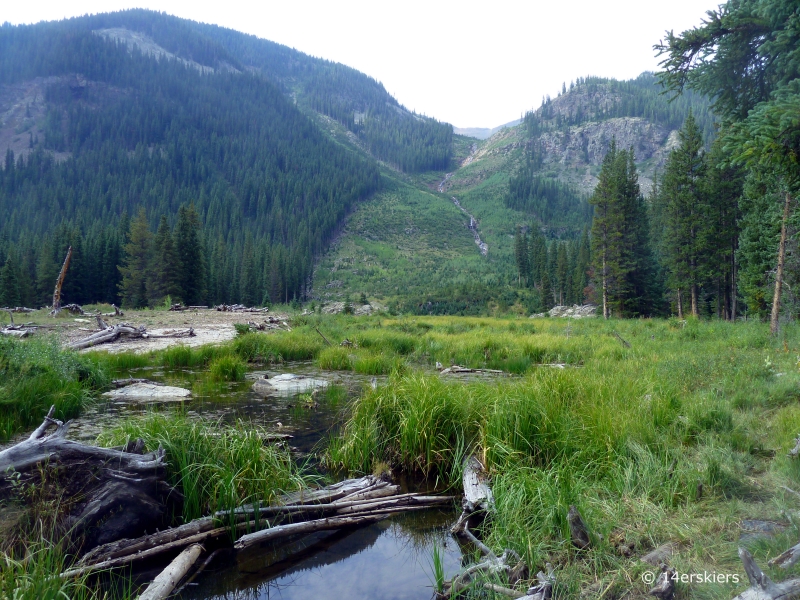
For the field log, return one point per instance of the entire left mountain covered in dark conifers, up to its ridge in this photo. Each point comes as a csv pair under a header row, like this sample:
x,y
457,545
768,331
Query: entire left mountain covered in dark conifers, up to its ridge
x,y
107,114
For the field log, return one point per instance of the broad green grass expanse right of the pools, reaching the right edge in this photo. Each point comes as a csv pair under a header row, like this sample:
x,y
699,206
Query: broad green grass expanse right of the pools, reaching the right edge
x,y
625,434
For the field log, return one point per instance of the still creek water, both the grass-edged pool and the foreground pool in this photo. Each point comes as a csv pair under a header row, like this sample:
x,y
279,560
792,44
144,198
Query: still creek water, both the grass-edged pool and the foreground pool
x,y
391,559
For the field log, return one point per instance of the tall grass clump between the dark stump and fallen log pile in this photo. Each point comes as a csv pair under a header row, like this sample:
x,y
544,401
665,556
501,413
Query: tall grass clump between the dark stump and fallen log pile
x,y
216,466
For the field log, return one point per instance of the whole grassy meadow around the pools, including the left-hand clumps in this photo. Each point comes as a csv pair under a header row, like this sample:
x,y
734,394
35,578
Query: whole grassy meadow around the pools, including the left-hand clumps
x,y
658,431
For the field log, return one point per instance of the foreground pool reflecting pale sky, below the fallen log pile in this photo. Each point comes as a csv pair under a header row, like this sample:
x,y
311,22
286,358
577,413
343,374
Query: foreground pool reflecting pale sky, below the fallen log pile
x,y
389,560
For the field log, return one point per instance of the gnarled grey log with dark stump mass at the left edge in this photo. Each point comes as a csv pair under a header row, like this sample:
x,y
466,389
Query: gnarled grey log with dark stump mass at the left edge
x,y
105,493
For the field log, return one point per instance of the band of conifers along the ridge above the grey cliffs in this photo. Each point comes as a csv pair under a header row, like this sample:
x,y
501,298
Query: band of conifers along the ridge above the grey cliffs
x,y
599,99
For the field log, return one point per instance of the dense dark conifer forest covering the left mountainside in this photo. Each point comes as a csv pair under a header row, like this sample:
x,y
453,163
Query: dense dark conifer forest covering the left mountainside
x,y
134,133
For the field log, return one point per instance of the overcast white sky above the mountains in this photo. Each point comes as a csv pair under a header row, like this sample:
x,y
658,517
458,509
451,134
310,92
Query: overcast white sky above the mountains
x,y
467,63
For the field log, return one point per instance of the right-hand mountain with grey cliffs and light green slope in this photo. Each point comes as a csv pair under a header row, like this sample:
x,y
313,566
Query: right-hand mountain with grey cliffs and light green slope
x,y
535,175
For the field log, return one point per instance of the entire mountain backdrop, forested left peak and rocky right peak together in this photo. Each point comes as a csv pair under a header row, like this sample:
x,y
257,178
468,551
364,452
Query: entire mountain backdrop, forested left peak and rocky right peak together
x,y
303,178
